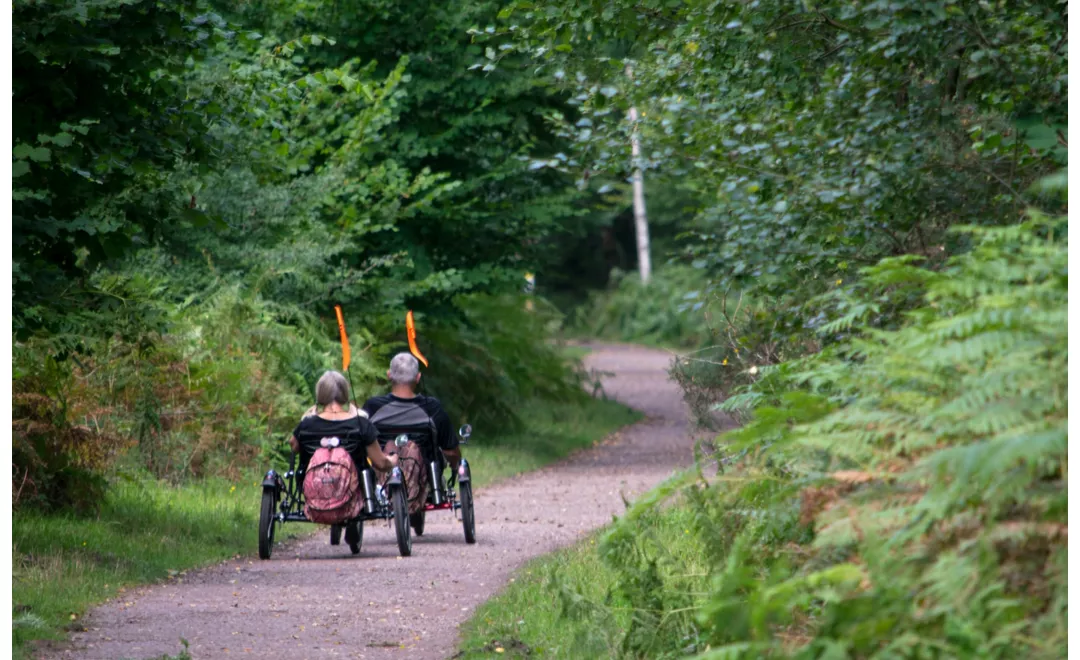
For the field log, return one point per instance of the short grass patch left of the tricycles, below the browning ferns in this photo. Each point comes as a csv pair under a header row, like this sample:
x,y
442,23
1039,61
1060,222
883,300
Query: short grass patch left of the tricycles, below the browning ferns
x,y
145,532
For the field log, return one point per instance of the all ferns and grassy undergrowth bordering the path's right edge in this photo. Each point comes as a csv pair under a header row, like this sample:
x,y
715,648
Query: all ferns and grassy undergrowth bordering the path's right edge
x,y
900,494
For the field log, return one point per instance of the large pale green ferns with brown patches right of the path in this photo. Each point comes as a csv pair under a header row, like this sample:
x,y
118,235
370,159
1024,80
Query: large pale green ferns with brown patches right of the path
x,y
933,459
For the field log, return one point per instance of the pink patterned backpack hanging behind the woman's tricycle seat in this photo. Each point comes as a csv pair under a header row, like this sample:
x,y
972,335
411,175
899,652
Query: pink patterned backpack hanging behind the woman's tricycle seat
x,y
332,488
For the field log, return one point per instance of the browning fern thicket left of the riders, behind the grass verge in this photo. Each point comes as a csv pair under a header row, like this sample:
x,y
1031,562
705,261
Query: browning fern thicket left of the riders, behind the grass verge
x,y
209,397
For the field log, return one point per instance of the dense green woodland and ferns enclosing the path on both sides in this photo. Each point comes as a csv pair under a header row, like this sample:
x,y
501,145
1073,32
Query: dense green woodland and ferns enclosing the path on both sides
x,y
859,217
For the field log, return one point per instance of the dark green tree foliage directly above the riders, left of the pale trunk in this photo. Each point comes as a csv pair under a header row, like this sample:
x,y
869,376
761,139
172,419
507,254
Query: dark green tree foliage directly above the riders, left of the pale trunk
x,y
488,226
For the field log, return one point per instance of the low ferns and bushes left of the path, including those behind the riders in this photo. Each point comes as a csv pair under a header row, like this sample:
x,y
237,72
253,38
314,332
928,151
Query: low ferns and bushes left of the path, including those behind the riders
x,y
215,387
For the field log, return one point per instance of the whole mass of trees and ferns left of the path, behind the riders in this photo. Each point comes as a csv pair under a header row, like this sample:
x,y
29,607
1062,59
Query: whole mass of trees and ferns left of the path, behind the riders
x,y
193,198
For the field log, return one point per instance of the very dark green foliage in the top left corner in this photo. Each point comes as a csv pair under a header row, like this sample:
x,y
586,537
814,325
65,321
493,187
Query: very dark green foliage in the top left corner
x,y
105,116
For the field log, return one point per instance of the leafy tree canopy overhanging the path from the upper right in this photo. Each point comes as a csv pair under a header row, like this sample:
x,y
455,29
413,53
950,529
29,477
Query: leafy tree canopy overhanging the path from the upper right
x,y
822,139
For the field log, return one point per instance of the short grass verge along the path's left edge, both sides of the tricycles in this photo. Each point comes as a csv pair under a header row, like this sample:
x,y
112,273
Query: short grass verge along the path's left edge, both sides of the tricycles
x,y
148,532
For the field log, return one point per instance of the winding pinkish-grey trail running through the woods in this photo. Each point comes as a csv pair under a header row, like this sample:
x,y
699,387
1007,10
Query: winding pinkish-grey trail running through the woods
x,y
317,601
